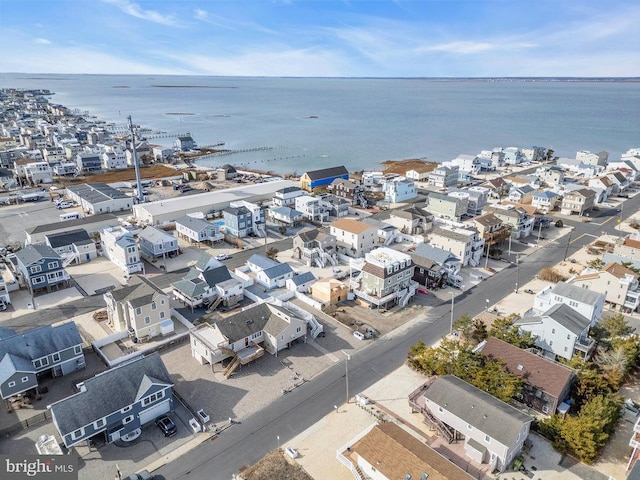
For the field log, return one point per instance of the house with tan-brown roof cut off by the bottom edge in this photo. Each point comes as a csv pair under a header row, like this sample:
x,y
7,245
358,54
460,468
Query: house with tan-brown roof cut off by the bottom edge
x,y
385,451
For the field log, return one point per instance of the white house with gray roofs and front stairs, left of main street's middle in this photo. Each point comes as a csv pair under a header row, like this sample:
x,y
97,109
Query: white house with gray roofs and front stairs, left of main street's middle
x,y
245,335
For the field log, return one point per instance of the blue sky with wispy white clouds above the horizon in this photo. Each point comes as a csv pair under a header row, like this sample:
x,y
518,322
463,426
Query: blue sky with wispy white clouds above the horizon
x,y
353,38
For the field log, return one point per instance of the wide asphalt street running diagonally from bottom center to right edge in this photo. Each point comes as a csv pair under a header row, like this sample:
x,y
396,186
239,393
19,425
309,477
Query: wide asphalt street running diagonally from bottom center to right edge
x,y
245,443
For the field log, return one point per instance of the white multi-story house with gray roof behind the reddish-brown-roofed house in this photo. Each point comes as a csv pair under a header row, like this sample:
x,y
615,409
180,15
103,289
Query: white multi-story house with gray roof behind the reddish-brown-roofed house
x,y
560,331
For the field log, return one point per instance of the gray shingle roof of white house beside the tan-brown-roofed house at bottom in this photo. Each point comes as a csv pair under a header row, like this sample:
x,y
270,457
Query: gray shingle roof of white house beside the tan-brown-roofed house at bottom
x,y
484,412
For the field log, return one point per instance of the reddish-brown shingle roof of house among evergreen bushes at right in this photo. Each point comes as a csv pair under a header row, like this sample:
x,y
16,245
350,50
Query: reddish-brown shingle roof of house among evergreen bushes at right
x,y
537,371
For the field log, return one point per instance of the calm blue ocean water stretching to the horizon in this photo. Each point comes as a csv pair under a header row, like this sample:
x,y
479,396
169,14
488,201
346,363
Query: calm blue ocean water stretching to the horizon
x,y
310,123
